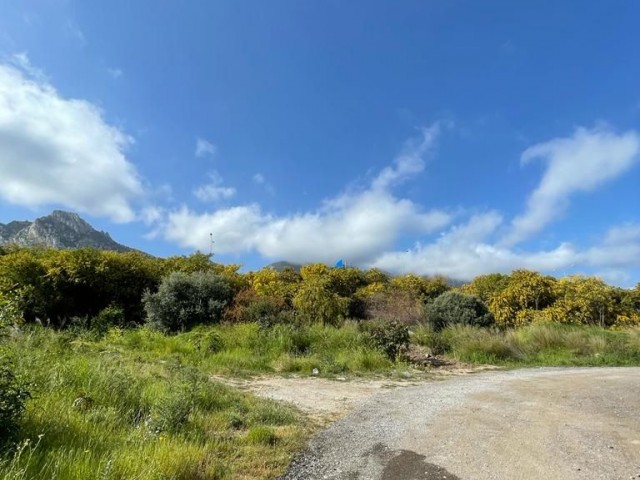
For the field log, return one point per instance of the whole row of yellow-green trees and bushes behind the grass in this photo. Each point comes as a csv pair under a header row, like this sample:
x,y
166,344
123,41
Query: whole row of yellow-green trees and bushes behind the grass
x,y
100,289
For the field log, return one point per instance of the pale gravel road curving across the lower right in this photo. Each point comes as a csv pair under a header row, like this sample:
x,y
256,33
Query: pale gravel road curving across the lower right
x,y
551,424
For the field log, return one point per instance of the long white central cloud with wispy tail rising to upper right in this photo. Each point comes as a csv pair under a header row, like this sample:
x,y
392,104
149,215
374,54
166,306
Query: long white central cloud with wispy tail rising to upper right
x,y
355,225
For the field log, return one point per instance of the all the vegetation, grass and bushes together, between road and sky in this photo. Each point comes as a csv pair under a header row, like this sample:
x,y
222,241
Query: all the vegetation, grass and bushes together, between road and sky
x,y
107,359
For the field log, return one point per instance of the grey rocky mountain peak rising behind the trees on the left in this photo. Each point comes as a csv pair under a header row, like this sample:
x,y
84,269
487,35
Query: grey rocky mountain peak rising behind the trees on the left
x,y
58,230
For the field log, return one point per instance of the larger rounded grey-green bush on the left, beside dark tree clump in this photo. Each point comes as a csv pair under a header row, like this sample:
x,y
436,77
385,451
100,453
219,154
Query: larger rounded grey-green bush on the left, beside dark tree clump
x,y
184,300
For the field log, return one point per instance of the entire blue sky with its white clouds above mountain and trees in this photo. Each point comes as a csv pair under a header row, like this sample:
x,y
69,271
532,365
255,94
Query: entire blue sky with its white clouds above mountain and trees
x,y
451,137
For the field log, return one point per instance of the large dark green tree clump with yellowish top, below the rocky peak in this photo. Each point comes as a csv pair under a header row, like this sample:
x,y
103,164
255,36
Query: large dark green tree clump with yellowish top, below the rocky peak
x,y
58,285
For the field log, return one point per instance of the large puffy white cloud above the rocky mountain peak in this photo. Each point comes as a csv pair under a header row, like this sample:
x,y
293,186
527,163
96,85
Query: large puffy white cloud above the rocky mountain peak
x,y
55,150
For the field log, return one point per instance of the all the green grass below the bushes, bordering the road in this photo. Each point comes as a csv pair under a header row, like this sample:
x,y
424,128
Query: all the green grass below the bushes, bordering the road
x,y
138,404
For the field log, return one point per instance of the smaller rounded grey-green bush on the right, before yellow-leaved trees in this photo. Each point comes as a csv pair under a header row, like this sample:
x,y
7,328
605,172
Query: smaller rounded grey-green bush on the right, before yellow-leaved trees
x,y
455,308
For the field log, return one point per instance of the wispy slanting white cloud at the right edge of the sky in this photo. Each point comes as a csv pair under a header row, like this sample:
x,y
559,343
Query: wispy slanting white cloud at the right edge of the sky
x,y
579,163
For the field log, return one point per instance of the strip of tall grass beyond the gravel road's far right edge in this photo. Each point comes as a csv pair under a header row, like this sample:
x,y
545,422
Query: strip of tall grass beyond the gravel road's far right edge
x,y
536,345
